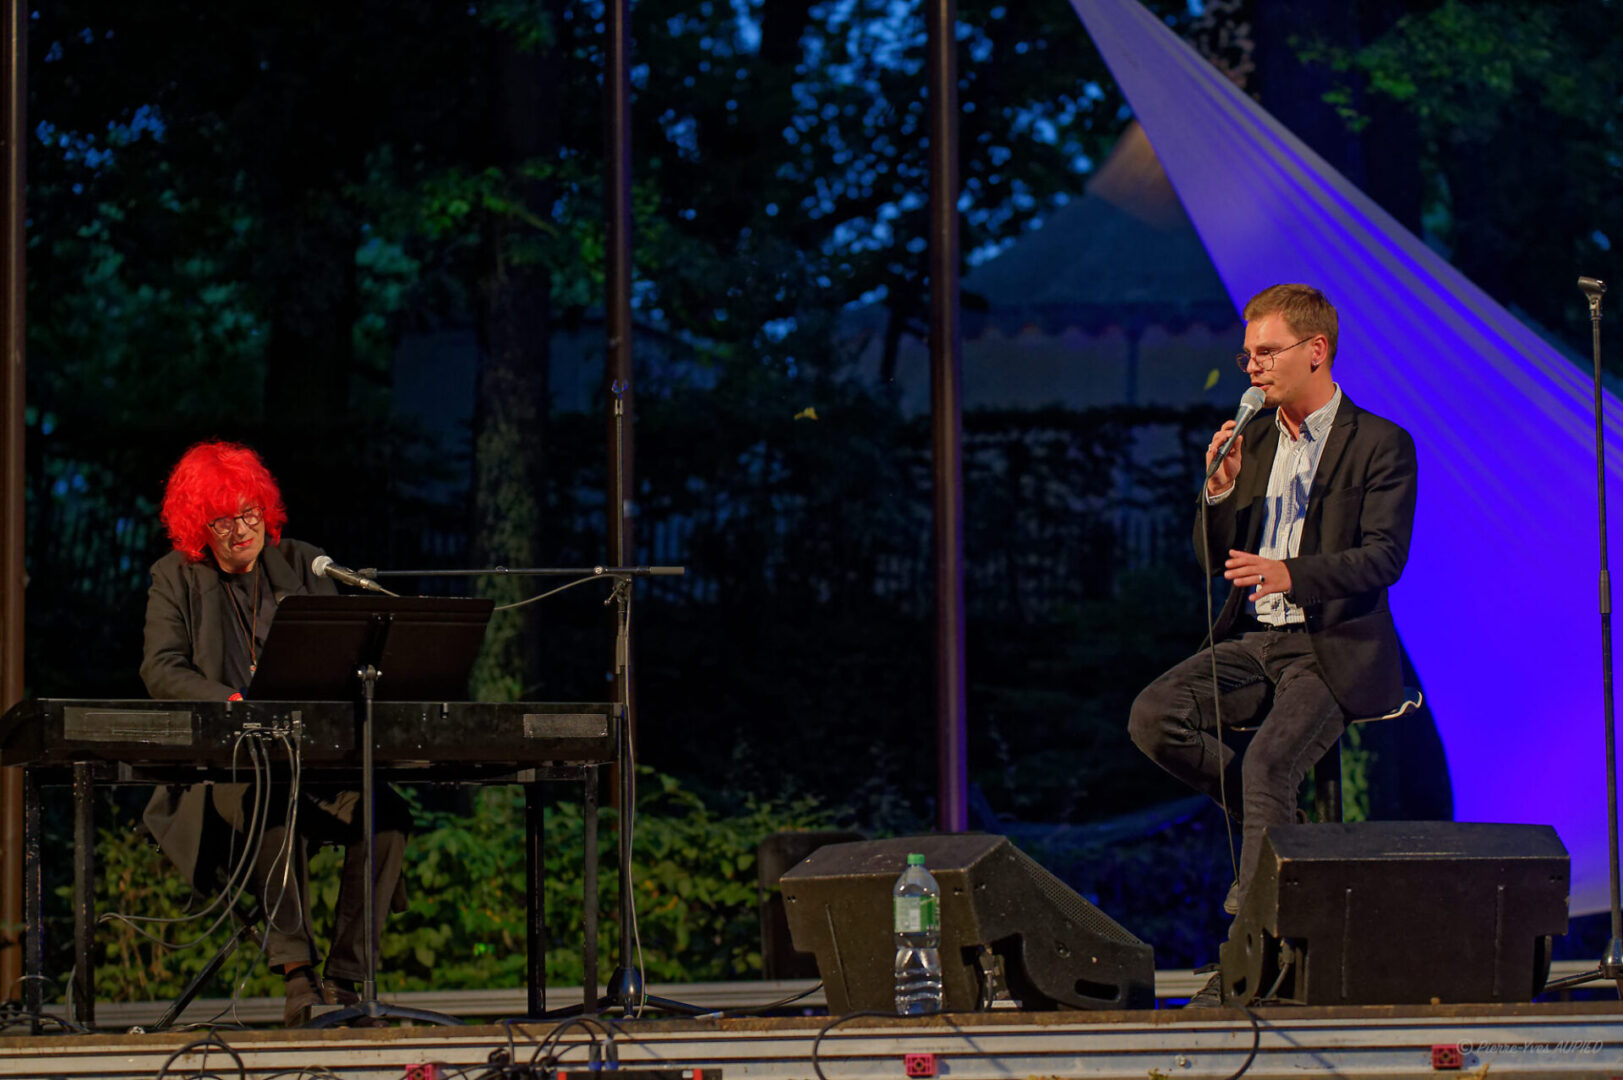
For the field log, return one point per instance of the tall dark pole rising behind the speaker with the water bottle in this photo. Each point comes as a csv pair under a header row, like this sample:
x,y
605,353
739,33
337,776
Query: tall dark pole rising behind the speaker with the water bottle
x,y
949,423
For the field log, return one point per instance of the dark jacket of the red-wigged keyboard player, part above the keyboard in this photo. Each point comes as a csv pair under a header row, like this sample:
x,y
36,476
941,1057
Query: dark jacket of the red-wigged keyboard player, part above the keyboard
x,y
186,649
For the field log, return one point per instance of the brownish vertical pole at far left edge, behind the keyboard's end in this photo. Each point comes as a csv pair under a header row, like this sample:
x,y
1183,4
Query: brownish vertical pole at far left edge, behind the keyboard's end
x,y
14,134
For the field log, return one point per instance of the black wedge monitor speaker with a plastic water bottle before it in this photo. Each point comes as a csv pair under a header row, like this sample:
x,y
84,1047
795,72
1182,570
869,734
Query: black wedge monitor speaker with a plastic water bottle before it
x,y
1005,922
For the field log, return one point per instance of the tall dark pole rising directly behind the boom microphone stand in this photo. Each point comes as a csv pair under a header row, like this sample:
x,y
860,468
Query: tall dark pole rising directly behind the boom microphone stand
x,y
627,988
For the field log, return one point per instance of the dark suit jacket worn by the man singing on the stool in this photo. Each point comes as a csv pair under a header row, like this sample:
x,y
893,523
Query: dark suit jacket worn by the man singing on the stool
x,y
1354,546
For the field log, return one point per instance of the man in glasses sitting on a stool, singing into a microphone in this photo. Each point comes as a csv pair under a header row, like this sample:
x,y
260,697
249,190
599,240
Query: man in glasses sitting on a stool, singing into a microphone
x,y
1309,517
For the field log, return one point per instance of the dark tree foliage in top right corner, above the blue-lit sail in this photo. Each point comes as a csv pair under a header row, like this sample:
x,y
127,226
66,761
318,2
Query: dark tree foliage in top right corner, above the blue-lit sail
x,y
1520,116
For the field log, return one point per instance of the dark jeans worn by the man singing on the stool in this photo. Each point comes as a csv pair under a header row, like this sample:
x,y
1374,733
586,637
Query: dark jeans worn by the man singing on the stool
x,y
1270,681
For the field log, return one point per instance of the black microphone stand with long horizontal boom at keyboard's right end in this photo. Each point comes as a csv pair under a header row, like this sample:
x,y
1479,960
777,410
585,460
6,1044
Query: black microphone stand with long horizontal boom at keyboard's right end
x,y
626,990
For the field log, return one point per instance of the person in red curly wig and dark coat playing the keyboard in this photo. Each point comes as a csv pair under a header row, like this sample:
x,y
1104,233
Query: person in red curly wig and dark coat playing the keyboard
x,y
209,611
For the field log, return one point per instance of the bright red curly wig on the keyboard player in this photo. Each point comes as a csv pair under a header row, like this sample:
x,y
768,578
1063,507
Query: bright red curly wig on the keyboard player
x,y
215,480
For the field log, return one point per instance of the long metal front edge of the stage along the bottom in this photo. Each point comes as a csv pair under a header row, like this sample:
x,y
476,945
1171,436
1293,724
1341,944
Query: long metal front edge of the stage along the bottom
x,y
1523,1040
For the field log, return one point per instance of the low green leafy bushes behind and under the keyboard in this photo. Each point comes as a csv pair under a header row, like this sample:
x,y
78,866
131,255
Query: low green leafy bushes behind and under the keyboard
x,y
465,878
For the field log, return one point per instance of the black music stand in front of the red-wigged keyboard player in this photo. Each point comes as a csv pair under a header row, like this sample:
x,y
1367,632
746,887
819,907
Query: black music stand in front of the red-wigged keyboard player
x,y
319,647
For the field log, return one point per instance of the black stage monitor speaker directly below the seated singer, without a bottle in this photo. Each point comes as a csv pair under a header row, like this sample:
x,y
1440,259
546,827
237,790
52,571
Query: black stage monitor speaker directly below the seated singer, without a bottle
x,y
1393,914
